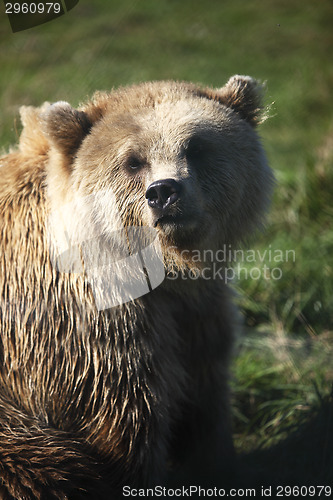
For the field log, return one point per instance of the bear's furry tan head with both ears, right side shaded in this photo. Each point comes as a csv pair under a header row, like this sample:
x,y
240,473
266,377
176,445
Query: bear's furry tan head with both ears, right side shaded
x,y
175,157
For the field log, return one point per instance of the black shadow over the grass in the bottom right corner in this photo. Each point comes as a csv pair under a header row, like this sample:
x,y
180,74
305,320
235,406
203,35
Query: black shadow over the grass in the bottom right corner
x,y
304,458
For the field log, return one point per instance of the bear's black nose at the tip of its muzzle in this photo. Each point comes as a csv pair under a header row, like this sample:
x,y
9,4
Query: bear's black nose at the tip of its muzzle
x,y
161,194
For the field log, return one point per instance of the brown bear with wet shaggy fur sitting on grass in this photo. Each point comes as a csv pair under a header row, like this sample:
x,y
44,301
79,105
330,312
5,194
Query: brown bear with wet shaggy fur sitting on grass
x,y
103,385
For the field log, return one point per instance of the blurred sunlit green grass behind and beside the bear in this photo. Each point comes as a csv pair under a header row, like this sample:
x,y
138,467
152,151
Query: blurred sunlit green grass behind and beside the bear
x,y
283,370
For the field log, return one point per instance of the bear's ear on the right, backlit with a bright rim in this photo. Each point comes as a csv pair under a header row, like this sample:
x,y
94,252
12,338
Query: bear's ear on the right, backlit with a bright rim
x,y
244,95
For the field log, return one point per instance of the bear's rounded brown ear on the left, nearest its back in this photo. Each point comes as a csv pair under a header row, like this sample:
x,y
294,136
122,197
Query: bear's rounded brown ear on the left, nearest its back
x,y
65,127
